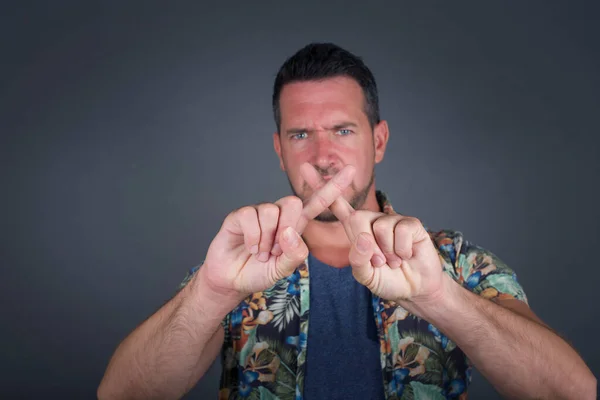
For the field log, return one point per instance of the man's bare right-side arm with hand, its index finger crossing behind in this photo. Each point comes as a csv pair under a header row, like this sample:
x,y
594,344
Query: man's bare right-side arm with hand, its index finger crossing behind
x,y
520,356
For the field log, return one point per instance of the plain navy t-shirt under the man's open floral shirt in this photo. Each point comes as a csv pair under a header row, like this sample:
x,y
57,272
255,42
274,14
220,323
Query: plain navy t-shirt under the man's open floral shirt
x,y
342,354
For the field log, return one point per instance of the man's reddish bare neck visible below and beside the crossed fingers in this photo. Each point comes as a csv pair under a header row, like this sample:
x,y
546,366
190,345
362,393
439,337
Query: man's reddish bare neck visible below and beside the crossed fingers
x,y
328,241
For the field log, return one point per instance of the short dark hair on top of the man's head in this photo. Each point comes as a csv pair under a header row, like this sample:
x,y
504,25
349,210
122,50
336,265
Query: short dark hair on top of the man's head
x,y
317,61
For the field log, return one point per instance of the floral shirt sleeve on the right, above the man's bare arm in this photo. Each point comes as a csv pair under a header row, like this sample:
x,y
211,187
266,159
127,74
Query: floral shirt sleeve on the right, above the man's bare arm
x,y
478,269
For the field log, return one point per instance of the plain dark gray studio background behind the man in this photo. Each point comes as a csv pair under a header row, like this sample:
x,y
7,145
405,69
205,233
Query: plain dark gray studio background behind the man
x,y
130,130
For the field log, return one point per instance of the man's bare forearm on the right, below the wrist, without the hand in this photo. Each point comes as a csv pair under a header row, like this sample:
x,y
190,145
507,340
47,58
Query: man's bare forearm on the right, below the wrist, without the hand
x,y
520,357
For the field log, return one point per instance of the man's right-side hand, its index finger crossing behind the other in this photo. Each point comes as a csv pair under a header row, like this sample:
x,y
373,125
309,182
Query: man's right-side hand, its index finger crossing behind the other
x,y
392,255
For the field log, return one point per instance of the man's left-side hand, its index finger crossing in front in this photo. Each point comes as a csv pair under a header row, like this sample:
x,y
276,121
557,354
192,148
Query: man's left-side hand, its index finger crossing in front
x,y
259,245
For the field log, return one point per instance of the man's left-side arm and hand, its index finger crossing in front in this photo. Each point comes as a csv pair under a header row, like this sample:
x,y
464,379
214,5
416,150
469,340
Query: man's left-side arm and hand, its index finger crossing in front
x,y
167,354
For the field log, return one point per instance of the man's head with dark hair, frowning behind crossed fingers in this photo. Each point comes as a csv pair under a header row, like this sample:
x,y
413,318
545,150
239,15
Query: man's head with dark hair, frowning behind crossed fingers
x,y
326,109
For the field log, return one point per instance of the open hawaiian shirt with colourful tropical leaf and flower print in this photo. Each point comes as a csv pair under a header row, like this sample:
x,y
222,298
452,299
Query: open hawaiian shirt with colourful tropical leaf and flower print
x,y
266,335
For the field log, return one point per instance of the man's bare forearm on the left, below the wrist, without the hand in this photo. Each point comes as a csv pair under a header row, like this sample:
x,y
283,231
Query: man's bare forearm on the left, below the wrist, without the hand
x,y
168,353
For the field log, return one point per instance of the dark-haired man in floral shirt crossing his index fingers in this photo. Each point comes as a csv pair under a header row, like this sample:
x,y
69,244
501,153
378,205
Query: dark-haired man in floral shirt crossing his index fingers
x,y
331,294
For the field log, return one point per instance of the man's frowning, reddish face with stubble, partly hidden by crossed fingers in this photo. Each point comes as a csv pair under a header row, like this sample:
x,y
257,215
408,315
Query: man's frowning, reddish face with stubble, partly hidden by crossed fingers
x,y
324,123
